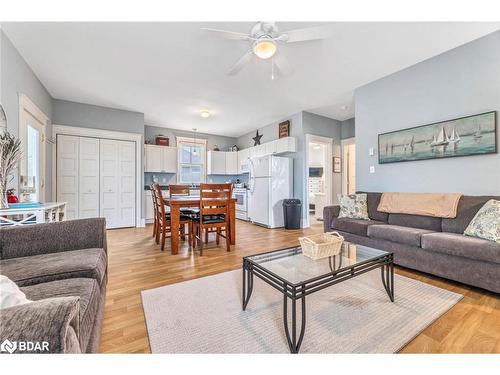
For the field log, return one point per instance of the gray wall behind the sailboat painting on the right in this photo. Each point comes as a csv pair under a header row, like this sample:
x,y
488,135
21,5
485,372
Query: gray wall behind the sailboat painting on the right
x,y
463,81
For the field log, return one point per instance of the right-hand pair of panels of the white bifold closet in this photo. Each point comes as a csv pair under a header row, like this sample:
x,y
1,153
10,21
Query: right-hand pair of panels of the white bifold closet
x,y
117,169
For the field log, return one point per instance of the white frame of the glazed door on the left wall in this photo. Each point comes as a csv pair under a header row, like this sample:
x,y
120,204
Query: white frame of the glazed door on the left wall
x,y
27,105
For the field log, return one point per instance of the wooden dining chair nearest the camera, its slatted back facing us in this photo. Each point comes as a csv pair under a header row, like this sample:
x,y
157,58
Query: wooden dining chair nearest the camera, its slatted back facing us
x,y
214,214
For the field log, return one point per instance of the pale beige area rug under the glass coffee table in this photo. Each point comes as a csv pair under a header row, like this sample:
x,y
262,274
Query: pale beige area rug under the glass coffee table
x,y
356,316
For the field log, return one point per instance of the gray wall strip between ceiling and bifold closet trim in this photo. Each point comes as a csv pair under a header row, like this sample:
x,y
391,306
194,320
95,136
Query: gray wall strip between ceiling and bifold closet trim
x,y
92,116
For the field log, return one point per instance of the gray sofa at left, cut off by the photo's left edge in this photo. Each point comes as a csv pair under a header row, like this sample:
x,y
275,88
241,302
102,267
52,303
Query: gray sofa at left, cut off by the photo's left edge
x,y
62,267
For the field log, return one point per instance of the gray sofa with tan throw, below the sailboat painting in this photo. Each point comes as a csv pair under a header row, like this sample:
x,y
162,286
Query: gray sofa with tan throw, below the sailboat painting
x,y
428,244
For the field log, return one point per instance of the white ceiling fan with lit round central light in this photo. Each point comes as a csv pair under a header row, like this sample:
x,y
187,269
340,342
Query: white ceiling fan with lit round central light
x,y
264,39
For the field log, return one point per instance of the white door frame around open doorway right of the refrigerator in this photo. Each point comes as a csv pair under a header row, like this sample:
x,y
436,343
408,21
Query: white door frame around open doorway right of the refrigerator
x,y
328,142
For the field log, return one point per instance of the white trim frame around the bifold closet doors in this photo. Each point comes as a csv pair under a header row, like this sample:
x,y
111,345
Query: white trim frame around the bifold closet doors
x,y
108,134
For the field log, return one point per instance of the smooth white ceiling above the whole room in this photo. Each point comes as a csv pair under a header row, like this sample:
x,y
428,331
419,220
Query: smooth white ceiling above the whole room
x,y
171,71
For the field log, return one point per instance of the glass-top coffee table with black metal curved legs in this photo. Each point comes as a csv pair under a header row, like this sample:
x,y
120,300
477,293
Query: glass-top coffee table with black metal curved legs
x,y
297,276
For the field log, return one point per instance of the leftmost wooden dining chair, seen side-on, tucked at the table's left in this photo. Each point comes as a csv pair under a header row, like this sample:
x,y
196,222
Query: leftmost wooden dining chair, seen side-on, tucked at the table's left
x,y
164,220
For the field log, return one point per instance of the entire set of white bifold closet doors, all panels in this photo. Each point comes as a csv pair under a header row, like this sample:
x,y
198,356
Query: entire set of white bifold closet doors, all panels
x,y
96,177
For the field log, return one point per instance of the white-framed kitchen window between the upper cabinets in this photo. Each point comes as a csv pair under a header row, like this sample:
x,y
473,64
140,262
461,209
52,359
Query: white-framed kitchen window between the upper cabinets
x,y
191,159
